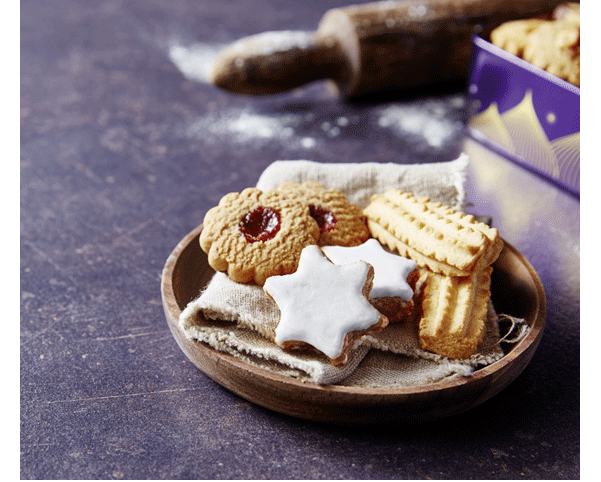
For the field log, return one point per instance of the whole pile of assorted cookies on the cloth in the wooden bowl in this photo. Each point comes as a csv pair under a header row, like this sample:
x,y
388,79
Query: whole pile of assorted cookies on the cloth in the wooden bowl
x,y
337,273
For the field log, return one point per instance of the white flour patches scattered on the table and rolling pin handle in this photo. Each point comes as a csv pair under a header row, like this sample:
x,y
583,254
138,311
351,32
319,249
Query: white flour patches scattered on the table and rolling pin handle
x,y
426,125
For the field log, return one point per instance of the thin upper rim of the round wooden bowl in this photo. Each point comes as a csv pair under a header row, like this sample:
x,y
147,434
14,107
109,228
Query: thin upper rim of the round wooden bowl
x,y
172,312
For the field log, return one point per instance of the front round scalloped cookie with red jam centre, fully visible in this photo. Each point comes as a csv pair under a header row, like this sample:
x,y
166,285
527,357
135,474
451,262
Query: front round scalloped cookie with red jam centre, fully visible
x,y
253,234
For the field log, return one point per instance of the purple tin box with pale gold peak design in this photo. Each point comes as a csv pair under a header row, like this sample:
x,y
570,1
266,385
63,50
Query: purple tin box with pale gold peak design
x,y
526,114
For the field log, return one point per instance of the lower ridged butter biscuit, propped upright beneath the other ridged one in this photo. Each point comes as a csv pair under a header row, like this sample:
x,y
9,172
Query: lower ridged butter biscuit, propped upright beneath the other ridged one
x,y
453,313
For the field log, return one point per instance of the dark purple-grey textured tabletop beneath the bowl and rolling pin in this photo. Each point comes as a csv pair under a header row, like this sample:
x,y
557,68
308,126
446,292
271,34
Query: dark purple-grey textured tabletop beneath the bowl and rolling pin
x,y
124,147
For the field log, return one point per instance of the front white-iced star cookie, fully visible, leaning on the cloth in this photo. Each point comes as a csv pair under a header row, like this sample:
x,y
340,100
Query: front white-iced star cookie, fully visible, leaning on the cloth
x,y
324,306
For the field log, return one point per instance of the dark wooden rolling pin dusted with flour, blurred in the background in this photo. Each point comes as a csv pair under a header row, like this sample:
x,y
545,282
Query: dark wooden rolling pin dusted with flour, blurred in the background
x,y
368,47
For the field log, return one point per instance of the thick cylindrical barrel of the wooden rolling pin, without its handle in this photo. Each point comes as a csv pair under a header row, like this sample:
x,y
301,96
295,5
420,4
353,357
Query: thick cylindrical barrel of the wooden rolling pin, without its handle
x,y
415,42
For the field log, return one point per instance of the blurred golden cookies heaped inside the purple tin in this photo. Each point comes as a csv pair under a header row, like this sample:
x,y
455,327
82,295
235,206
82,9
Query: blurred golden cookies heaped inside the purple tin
x,y
553,45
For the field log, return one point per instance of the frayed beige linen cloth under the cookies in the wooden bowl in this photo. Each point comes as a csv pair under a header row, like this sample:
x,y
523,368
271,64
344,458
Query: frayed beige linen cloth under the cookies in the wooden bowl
x,y
240,319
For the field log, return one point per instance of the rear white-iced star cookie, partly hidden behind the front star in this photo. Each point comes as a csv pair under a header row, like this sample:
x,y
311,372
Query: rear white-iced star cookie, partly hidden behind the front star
x,y
394,279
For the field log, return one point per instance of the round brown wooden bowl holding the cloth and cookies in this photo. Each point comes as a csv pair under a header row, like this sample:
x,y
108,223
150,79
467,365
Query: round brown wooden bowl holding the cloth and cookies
x,y
516,290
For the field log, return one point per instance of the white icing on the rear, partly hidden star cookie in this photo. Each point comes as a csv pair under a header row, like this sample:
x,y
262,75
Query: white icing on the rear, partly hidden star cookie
x,y
391,270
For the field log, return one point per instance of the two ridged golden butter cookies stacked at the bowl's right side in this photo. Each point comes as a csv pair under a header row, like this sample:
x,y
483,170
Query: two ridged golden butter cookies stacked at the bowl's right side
x,y
455,251
